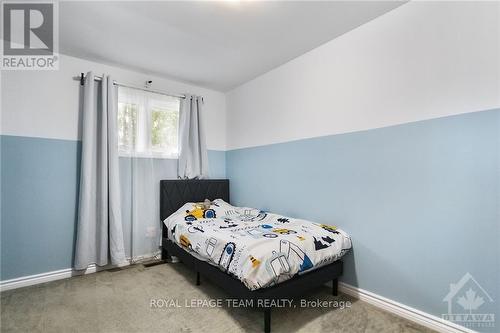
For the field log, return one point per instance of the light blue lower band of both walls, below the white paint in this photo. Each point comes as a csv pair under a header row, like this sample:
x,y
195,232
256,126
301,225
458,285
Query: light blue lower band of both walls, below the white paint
x,y
420,200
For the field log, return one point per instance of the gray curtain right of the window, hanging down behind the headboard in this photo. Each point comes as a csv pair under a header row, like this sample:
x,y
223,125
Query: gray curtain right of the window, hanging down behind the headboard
x,y
193,157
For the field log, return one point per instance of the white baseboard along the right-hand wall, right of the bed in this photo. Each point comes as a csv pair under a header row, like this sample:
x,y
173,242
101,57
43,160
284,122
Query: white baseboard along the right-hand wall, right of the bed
x,y
417,316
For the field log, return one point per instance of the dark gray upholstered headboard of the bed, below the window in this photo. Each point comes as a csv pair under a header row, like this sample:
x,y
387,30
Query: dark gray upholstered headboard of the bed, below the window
x,y
175,193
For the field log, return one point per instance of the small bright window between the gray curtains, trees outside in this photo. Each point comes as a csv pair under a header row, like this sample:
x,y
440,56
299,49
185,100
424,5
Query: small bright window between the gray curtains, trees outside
x,y
148,124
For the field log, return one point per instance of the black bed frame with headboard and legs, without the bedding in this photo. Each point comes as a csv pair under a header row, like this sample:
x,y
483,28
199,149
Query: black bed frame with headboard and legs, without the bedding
x,y
175,193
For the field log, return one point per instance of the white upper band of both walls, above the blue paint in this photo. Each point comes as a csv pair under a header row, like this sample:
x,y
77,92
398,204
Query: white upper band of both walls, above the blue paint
x,y
420,61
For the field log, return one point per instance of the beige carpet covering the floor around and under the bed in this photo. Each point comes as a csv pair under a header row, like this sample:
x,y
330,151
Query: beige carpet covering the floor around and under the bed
x,y
120,301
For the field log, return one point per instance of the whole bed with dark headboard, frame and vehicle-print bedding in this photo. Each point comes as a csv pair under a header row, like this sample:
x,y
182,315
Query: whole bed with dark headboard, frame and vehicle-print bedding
x,y
261,290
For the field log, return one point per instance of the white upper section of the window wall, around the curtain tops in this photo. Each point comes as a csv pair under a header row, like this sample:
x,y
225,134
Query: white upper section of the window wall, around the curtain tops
x,y
46,103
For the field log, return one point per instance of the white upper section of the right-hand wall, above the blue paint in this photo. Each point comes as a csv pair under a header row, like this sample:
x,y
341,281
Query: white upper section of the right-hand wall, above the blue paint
x,y
422,60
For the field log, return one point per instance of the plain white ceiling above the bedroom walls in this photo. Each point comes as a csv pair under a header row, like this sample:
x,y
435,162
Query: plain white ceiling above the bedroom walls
x,y
218,45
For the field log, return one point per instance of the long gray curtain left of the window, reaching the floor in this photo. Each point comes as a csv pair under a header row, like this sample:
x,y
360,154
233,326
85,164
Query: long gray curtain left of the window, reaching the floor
x,y
99,236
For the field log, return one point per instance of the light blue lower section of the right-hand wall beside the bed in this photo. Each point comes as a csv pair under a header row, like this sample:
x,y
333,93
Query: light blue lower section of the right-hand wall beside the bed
x,y
421,201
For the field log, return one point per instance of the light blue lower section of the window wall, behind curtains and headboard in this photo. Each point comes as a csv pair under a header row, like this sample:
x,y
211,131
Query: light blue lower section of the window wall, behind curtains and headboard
x,y
39,191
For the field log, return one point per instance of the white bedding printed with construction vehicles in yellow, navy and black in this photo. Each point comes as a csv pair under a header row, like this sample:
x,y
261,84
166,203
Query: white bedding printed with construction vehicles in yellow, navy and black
x,y
259,248
